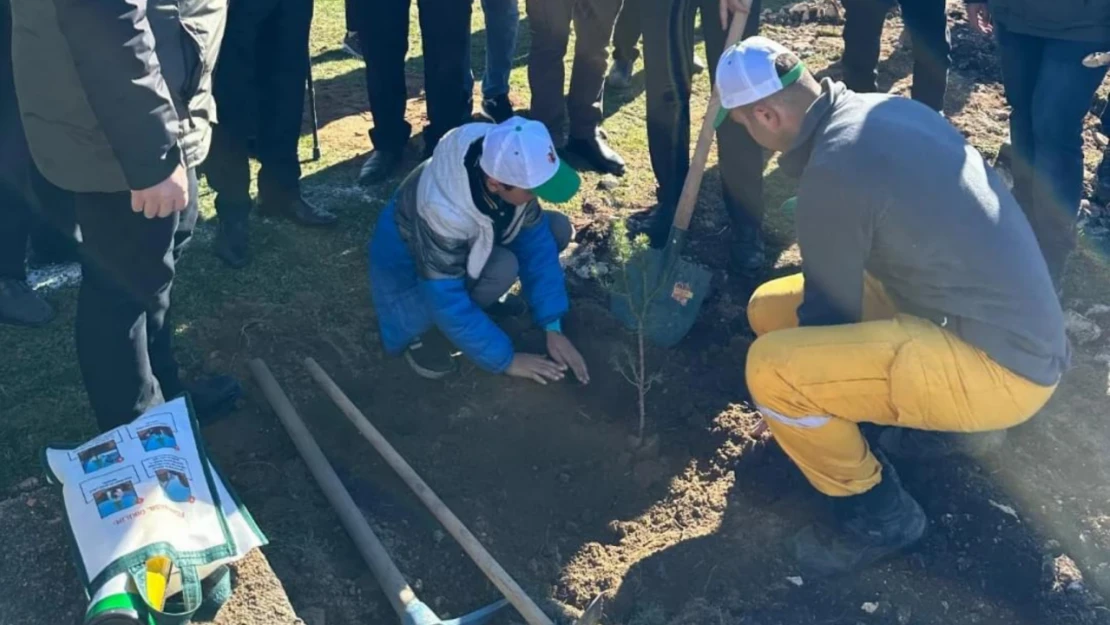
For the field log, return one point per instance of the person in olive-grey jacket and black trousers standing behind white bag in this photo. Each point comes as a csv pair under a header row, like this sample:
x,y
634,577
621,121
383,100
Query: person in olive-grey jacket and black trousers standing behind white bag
x,y
116,99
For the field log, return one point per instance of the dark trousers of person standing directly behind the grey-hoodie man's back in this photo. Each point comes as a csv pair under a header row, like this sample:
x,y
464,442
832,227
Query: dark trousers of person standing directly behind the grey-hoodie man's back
x,y
927,22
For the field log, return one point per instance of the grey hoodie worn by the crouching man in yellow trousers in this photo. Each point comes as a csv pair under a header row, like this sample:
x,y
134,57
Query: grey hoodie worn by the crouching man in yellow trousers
x,y
891,188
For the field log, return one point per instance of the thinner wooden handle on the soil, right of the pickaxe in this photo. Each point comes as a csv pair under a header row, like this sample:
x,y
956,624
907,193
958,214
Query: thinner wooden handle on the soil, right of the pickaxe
x,y
500,578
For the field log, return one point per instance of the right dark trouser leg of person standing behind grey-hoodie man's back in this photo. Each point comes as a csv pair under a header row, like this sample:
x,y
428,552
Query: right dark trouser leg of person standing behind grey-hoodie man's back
x,y
927,22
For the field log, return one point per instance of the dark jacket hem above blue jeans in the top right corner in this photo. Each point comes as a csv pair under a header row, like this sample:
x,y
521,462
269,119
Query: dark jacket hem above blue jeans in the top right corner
x,y
1073,21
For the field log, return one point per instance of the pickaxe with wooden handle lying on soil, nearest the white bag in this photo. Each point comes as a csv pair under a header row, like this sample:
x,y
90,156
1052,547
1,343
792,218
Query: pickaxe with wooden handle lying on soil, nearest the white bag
x,y
409,608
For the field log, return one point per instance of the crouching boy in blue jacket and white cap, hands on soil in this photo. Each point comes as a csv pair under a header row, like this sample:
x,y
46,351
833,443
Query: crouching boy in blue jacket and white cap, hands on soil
x,y
459,233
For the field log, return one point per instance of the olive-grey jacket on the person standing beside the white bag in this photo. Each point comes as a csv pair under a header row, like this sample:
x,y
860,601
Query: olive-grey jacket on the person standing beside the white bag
x,y
116,94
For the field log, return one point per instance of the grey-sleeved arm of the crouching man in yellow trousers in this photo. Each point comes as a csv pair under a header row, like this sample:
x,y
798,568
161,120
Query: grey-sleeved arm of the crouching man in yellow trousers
x,y
835,237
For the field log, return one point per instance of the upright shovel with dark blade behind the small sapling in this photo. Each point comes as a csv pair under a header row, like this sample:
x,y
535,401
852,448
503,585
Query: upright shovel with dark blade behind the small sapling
x,y
664,293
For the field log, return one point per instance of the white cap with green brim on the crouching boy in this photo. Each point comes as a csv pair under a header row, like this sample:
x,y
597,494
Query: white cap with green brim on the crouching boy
x,y
520,153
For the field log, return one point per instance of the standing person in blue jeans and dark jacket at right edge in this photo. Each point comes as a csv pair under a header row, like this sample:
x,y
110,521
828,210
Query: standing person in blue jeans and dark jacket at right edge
x,y
1043,47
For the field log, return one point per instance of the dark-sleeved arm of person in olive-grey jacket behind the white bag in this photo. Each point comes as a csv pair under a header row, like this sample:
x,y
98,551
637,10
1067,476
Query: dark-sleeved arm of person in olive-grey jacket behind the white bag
x,y
114,52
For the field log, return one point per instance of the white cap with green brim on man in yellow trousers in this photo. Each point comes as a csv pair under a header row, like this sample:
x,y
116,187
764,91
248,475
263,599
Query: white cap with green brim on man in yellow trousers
x,y
746,74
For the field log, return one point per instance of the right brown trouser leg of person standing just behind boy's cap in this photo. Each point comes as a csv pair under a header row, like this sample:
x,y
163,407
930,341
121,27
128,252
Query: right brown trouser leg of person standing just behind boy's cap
x,y
593,29
